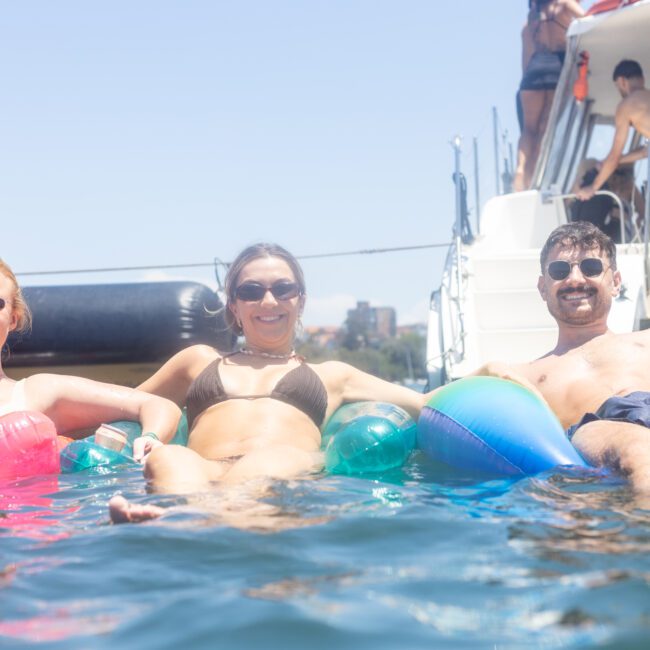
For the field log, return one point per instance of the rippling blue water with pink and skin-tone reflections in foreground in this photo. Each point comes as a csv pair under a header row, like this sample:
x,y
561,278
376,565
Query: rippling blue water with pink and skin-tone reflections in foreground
x,y
419,558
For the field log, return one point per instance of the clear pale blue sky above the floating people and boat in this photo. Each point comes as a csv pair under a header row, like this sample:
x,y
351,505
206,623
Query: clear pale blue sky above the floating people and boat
x,y
155,132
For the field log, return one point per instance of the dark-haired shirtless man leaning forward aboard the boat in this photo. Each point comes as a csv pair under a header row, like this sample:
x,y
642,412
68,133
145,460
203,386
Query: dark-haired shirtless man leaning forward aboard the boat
x,y
633,110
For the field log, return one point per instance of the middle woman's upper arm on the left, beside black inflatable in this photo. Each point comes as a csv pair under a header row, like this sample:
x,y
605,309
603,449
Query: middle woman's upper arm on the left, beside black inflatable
x,y
172,380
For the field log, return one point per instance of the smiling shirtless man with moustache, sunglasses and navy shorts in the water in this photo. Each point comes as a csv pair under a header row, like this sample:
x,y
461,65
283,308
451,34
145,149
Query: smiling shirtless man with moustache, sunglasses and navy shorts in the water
x,y
597,382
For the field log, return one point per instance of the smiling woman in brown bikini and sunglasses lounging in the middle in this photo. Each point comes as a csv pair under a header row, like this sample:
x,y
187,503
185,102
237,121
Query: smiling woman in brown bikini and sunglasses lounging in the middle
x,y
256,412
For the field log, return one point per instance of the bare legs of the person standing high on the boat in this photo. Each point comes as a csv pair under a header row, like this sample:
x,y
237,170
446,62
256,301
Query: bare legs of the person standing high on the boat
x,y
536,107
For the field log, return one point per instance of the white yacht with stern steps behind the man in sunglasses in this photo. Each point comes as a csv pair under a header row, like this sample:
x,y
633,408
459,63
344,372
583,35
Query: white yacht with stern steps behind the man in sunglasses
x,y
487,306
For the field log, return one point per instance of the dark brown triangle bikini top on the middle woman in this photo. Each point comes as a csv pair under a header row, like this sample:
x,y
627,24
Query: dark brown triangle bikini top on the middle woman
x,y
300,387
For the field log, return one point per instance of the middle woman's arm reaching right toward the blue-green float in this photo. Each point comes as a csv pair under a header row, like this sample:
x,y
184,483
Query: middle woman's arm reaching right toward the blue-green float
x,y
353,385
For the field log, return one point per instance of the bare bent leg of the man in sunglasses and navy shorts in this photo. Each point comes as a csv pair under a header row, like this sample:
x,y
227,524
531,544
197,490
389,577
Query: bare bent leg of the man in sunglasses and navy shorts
x,y
623,446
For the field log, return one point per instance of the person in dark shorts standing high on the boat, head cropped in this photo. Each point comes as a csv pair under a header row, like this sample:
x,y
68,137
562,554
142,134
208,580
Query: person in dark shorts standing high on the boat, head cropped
x,y
543,48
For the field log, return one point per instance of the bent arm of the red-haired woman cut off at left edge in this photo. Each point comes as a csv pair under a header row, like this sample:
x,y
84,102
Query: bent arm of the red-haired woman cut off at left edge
x,y
76,403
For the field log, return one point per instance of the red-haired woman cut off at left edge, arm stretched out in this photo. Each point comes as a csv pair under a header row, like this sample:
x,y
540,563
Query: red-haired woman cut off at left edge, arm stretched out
x,y
74,403
